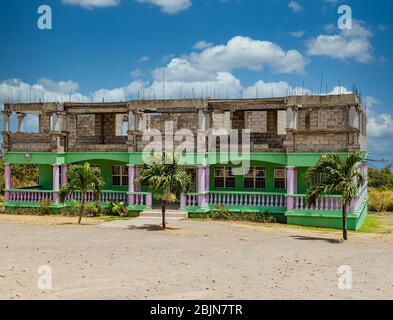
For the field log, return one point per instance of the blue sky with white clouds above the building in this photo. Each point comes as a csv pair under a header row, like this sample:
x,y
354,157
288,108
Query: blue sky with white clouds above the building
x,y
117,49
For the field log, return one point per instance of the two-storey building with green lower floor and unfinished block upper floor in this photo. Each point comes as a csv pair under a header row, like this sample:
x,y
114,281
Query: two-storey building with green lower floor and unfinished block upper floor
x,y
287,135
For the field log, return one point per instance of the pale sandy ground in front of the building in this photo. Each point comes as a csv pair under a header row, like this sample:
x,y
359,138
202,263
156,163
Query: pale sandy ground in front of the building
x,y
191,260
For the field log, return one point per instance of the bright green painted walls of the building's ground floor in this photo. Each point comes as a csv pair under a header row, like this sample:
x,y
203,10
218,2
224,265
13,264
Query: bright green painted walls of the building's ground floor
x,y
268,160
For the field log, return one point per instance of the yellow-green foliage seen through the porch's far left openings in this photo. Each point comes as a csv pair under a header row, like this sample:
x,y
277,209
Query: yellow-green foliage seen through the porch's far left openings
x,y
23,175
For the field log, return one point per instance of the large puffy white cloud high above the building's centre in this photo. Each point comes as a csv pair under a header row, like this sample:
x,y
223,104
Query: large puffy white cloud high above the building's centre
x,y
239,52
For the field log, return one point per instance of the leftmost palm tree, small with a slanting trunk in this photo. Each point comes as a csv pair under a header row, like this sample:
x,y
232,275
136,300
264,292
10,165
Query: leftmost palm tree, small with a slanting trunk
x,y
82,178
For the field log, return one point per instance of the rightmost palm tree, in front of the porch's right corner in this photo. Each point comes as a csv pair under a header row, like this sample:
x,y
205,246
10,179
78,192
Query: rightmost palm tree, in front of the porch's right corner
x,y
334,174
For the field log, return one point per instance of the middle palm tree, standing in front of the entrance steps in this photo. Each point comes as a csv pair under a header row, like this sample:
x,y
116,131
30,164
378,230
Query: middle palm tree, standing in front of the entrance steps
x,y
169,180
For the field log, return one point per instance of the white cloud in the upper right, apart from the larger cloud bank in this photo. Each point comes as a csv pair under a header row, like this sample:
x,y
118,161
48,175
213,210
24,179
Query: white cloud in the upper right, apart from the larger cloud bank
x,y
348,44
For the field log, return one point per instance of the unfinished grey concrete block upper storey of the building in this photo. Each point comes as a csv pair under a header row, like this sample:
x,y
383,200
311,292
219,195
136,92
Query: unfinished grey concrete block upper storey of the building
x,y
324,123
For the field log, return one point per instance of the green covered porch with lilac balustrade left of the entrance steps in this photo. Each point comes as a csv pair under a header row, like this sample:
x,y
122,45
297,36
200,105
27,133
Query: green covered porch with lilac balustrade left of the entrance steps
x,y
51,177
